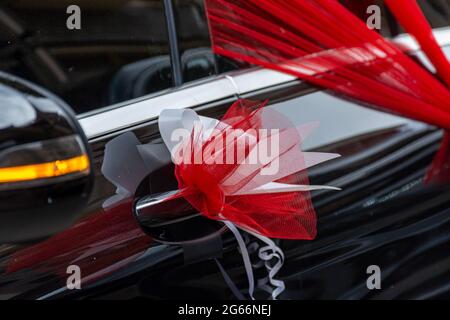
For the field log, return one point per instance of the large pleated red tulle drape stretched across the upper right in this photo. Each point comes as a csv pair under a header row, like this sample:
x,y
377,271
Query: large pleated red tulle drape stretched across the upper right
x,y
322,42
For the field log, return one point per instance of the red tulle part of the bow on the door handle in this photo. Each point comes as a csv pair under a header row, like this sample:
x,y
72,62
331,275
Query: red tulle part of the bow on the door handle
x,y
216,189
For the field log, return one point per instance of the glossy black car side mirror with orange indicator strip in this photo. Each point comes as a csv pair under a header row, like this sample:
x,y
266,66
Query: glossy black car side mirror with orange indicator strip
x,y
45,163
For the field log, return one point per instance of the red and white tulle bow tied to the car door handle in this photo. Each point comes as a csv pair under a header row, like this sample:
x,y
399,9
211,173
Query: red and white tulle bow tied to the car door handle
x,y
246,168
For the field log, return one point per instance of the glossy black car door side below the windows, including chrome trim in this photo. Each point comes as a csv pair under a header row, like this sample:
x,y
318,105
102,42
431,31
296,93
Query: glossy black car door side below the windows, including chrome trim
x,y
118,260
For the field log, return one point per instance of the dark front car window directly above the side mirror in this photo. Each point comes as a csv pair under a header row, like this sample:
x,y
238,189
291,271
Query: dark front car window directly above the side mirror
x,y
119,52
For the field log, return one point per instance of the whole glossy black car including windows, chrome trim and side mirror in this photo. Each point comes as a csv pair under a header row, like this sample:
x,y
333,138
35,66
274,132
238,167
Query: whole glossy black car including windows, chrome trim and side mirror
x,y
128,61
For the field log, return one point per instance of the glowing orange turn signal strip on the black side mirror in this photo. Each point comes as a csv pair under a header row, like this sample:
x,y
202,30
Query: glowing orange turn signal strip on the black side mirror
x,y
51,169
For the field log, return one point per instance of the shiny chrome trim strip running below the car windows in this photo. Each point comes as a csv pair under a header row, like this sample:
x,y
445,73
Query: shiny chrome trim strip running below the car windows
x,y
148,108
